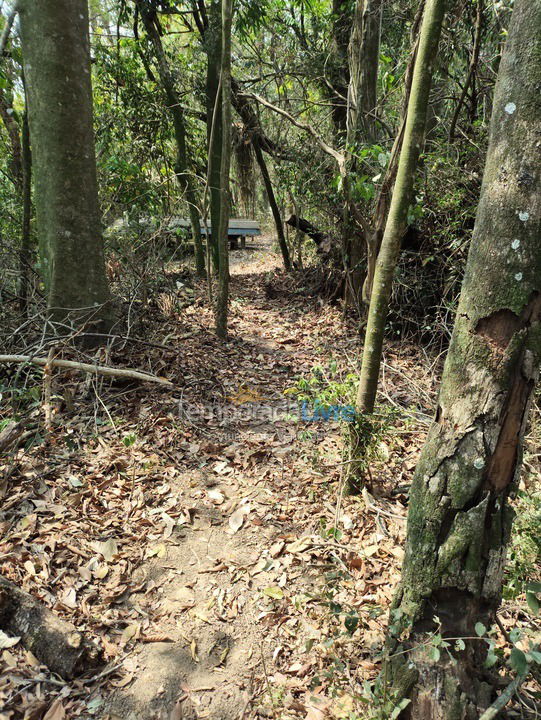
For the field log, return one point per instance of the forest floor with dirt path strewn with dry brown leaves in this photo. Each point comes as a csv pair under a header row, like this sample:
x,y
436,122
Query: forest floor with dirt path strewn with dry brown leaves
x,y
198,534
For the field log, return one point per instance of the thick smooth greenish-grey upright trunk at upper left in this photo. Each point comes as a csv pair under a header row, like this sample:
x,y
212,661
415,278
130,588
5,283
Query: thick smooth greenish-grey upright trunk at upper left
x,y
56,55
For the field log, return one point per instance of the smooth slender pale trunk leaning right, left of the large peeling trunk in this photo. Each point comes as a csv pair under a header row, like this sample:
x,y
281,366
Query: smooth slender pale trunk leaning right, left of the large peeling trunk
x,y
398,212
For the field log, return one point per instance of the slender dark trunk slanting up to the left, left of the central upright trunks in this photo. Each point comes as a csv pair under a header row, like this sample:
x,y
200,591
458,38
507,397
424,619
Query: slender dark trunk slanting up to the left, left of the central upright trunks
x,y
179,126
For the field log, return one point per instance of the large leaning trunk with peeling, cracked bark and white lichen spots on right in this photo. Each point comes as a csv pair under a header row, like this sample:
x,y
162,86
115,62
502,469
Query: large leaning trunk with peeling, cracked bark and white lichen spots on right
x,y
460,518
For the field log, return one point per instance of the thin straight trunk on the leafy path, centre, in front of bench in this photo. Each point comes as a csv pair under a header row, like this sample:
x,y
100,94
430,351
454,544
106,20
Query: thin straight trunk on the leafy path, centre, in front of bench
x,y
222,299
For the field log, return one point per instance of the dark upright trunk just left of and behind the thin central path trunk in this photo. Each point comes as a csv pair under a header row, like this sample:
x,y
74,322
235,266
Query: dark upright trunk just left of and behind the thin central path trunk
x,y
213,43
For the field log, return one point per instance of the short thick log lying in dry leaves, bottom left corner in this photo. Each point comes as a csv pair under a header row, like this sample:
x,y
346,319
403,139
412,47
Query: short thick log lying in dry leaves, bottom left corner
x,y
55,642
